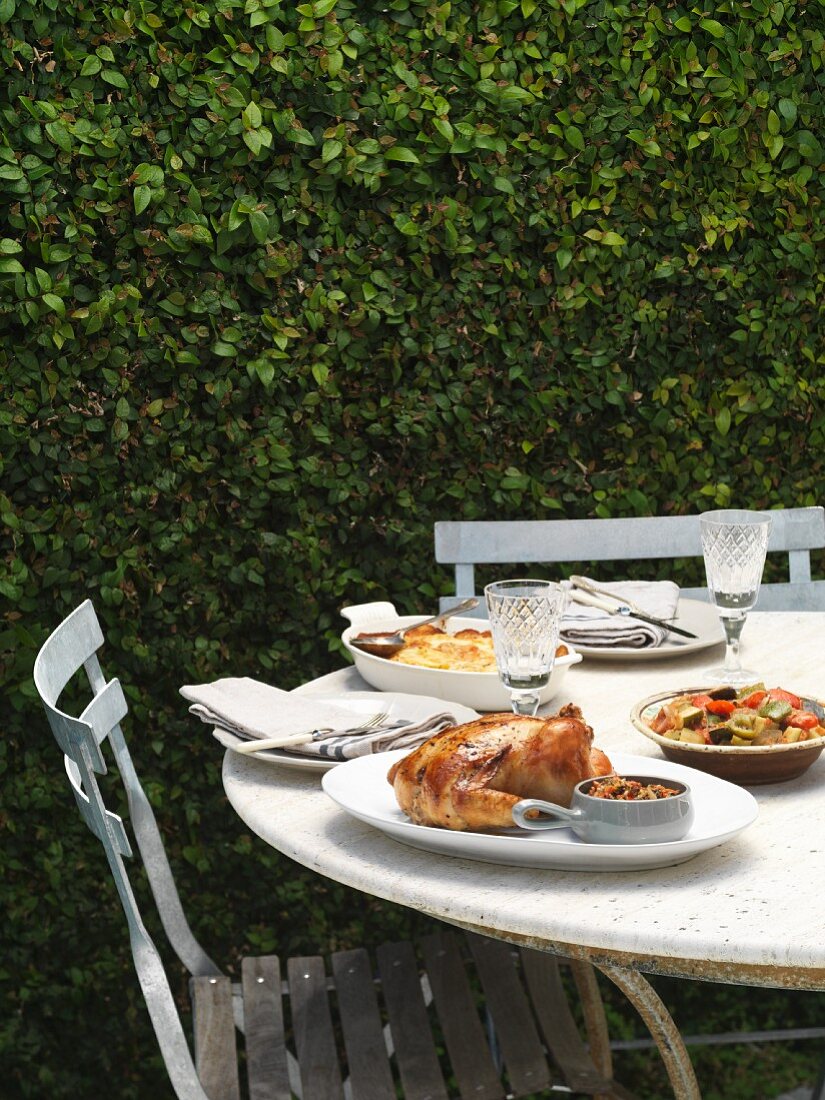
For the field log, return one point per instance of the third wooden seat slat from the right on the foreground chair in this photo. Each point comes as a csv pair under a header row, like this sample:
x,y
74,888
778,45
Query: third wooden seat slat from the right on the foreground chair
x,y
465,1037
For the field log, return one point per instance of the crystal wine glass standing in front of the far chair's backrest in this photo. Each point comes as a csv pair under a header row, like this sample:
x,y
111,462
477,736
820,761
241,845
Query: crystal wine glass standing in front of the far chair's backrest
x,y
734,543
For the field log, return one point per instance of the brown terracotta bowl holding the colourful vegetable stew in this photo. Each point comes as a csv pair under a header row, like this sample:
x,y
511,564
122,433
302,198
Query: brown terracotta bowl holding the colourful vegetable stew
x,y
739,764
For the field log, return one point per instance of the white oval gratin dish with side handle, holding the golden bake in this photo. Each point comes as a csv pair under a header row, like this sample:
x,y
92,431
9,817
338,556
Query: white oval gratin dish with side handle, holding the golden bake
x,y
482,691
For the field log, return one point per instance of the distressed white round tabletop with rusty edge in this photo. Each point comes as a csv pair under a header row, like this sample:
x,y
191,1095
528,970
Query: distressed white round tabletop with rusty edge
x,y
749,911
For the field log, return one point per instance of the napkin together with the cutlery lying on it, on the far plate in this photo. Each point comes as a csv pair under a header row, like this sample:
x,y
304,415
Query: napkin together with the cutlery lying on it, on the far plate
x,y
596,619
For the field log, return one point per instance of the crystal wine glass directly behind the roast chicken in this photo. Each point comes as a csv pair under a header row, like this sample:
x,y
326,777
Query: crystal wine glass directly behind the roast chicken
x,y
525,618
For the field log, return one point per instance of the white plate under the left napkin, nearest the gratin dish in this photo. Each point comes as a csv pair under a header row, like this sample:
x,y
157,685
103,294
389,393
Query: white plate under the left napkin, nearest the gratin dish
x,y
362,703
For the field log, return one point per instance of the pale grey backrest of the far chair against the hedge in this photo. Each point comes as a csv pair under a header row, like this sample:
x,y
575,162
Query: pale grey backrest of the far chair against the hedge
x,y
467,544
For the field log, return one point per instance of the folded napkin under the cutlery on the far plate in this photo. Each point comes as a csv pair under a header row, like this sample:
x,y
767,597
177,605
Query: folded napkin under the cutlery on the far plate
x,y
590,626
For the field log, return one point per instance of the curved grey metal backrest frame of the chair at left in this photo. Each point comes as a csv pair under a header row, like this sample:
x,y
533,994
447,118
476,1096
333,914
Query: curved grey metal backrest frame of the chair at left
x,y
71,648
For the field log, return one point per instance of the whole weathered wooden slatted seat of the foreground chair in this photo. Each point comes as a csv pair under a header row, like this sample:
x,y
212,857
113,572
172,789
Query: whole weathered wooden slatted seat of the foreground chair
x,y
335,1024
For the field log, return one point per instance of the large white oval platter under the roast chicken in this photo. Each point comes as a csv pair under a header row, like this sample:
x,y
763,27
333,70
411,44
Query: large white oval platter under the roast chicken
x,y
722,811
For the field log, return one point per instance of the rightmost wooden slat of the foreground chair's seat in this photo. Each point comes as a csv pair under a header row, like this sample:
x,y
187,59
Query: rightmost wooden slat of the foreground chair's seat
x,y
562,1035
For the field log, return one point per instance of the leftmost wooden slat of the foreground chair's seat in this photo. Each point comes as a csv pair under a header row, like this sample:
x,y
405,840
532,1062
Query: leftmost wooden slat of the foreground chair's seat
x,y
216,1055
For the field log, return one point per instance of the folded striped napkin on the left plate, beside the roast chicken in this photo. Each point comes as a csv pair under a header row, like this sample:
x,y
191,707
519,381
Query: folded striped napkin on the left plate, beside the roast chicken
x,y
251,710
